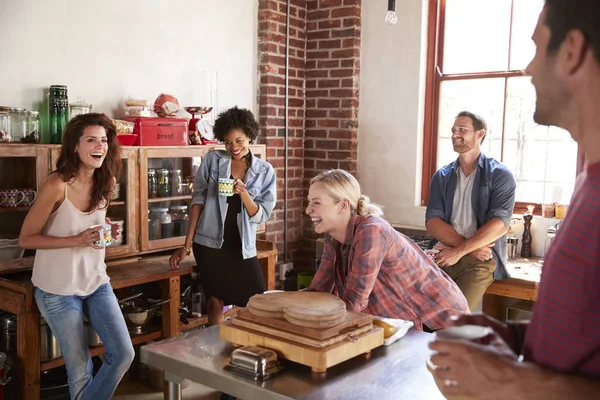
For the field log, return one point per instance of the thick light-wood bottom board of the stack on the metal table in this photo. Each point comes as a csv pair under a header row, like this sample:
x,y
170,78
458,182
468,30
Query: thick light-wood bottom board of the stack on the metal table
x,y
319,359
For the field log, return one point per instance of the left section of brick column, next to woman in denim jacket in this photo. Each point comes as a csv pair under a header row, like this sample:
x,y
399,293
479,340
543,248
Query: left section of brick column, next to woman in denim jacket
x,y
271,63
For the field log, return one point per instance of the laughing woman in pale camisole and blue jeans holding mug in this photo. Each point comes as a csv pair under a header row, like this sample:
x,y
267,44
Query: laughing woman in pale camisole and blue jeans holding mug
x,y
69,273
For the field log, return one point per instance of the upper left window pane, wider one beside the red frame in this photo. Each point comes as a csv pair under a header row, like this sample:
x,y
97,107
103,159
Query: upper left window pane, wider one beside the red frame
x,y
476,36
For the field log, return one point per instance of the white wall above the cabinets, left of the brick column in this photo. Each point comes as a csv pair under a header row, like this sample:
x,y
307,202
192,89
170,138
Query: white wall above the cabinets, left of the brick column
x,y
107,50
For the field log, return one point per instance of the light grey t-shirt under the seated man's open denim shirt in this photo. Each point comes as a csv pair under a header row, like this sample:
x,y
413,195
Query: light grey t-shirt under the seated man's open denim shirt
x,y
463,216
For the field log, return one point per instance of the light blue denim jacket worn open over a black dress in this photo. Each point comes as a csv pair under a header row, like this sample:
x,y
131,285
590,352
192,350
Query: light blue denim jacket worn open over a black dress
x,y
260,183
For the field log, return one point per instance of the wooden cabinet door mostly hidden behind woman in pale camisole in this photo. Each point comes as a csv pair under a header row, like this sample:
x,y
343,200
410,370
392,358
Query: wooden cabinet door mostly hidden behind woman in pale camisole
x,y
125,206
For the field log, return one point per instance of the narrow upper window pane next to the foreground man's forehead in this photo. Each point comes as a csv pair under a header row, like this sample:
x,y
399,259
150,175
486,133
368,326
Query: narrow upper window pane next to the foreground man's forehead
x,y
525,15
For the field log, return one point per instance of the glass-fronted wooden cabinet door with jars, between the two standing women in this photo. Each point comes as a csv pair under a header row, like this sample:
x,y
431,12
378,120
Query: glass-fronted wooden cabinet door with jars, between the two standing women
x,y
164,198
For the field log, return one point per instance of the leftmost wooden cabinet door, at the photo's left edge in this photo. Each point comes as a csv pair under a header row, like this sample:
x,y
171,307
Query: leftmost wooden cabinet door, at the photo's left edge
x,y
24,169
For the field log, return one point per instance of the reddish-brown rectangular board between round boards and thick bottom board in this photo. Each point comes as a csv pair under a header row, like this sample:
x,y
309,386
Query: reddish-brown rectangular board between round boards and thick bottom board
x,y
353,320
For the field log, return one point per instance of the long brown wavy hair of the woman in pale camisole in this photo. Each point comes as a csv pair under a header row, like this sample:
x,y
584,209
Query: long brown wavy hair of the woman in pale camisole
x,y
68,162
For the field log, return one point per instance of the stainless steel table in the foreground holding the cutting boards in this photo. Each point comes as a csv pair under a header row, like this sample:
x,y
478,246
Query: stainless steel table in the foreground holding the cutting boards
x,y
394,372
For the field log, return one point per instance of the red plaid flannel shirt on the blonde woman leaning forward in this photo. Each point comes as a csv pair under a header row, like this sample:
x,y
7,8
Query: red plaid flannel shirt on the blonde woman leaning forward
x,y
388,275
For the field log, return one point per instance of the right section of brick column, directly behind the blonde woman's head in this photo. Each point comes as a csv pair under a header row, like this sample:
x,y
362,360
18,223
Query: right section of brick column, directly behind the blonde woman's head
x,y
332,85
